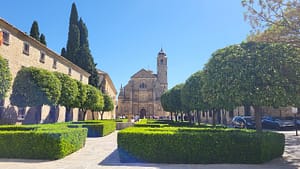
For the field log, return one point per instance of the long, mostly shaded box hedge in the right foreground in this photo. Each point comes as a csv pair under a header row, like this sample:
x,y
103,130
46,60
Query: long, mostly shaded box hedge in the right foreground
x,y
199,146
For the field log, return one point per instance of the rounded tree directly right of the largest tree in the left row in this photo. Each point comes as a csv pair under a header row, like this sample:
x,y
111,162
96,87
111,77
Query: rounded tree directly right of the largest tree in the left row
x,y
69,94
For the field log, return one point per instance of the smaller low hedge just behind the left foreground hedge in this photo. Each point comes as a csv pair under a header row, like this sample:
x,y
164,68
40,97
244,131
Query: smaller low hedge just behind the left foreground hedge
x,y
96,128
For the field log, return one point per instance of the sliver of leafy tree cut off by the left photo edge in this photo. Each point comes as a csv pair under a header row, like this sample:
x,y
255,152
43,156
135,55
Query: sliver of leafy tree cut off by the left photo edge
x,y
5,82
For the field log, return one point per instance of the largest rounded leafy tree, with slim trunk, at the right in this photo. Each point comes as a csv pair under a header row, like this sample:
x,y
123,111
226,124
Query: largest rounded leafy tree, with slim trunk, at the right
x,y
259,74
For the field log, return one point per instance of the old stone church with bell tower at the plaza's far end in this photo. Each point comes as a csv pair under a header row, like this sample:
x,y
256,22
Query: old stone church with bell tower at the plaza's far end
x,y
141,96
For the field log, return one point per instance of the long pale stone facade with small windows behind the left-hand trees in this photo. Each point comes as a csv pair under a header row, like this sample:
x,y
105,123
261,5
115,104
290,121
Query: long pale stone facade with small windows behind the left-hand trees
x,y
21,50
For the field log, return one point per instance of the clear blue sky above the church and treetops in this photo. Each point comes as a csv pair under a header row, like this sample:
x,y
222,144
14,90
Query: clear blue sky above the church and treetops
x,y
126,35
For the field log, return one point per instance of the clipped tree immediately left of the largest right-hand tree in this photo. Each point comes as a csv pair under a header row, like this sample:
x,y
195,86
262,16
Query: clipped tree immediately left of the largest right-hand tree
x,y
191,94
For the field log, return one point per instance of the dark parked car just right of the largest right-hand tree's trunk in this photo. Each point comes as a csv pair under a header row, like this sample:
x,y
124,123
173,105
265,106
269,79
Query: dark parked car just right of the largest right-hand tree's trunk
x,y
269,122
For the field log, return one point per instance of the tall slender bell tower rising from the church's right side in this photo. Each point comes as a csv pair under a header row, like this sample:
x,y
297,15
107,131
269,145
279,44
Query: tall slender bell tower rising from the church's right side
x,y
162,69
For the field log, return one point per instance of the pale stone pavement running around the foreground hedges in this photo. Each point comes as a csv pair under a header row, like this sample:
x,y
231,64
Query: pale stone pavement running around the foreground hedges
x,y
101,153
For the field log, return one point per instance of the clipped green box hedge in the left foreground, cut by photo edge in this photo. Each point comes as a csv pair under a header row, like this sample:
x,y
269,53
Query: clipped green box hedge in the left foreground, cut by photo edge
x,y
40,142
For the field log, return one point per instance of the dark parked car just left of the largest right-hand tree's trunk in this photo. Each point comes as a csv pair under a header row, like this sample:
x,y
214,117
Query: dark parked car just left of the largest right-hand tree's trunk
x,y
247,122
